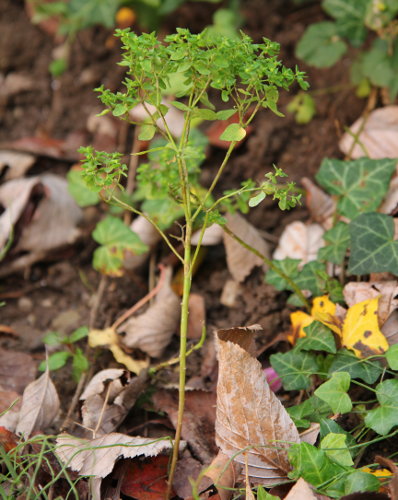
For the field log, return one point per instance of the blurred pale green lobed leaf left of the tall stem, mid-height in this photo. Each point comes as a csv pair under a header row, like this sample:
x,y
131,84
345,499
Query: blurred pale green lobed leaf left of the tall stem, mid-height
x,y
116,239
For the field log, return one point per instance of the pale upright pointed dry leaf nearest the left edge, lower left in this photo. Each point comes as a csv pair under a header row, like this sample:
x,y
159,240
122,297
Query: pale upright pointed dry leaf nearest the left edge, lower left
x,y
40,405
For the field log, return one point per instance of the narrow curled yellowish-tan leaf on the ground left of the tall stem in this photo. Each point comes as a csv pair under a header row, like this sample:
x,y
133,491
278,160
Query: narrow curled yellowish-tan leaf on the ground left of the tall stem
x,y
110,339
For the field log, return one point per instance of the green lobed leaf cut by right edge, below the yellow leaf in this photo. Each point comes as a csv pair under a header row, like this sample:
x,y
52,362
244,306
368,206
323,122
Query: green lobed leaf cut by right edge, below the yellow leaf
x,y
384,418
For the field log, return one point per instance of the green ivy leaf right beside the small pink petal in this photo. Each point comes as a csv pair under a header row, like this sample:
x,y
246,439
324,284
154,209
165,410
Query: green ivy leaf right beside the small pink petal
x,y
294,368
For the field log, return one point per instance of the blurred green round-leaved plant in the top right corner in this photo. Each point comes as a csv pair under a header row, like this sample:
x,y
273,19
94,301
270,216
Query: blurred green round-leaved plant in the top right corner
x,y
324,43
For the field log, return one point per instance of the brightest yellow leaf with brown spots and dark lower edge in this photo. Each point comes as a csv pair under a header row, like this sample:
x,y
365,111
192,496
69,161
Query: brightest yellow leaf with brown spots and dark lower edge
x,y
361,331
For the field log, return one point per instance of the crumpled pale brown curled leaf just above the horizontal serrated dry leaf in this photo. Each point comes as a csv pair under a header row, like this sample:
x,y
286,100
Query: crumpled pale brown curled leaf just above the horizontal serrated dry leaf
x,y
108,397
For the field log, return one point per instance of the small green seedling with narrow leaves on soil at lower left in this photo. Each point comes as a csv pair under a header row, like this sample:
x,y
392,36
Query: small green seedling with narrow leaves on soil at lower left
x,y
69,351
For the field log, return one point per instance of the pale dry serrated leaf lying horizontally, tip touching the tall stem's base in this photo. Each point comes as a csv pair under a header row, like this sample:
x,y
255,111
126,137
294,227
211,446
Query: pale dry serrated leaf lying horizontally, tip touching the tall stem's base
x,y
97,457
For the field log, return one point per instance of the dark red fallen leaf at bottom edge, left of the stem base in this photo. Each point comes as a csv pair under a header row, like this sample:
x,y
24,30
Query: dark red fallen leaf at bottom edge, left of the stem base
x,y
146,480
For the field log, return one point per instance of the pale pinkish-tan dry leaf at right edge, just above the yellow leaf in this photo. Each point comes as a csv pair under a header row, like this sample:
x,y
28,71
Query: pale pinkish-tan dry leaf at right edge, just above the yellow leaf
x,y
355,292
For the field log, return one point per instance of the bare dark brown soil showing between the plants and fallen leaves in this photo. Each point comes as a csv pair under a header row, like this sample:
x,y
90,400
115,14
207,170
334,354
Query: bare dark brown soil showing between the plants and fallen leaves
x,y
57,294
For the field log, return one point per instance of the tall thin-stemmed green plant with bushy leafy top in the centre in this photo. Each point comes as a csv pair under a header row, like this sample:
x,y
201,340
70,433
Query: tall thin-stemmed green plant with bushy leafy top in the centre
x,y
245,75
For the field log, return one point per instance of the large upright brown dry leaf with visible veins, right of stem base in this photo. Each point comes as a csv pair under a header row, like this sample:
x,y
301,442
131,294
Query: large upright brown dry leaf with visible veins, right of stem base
x,y
249,415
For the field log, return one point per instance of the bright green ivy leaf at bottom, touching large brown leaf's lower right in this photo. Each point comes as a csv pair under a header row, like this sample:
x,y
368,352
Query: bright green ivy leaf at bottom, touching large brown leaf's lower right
x,y
312,464
